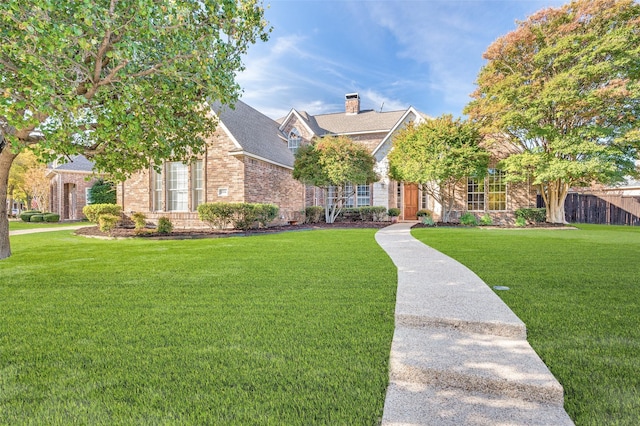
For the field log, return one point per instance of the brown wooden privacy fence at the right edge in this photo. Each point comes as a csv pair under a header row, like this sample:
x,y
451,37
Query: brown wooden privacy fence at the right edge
x,y
602,209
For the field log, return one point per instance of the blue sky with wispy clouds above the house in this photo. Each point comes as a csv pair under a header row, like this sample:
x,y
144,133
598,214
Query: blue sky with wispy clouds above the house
x,y
394,53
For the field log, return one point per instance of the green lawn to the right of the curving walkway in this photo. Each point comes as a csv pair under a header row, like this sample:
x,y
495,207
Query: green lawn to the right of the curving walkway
x,y
578,291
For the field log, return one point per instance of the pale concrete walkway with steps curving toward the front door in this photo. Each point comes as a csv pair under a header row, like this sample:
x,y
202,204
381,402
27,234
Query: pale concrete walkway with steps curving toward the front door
x,y
459,355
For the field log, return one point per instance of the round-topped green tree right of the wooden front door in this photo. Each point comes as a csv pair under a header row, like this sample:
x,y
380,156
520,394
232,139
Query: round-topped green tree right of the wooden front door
x,y
438,154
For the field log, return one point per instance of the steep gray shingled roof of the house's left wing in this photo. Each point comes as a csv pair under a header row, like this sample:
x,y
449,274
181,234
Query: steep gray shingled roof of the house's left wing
x,y
255,132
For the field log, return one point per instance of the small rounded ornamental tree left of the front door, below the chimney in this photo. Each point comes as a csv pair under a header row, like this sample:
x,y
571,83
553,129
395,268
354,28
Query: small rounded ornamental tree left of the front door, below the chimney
x,y
331,163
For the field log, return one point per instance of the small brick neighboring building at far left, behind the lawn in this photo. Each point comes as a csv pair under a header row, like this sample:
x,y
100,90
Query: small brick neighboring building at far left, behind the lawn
x,y
70,182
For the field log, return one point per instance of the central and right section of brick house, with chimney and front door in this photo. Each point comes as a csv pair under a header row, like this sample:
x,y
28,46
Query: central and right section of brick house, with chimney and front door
x,y
376,131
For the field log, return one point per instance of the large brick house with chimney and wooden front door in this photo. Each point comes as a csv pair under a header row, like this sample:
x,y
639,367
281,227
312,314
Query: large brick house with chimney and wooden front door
x,y
250,159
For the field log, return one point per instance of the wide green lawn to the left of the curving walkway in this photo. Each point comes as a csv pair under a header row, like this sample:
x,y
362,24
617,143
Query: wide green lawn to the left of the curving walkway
x,y
292,329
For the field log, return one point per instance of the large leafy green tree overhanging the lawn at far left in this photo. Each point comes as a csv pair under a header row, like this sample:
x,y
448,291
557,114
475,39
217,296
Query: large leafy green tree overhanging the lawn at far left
x,y
124,82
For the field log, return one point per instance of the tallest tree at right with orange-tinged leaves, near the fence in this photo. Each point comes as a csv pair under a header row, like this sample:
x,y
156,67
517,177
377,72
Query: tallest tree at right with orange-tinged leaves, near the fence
x,y
563,89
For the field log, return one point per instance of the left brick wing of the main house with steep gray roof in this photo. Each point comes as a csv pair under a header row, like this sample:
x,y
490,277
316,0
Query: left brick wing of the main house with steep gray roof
x,y
246,160
